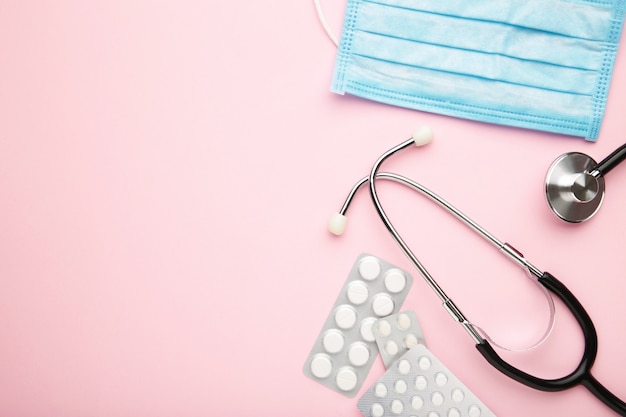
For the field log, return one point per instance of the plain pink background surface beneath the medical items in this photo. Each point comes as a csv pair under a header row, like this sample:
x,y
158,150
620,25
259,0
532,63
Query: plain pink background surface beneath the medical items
x,y
166,172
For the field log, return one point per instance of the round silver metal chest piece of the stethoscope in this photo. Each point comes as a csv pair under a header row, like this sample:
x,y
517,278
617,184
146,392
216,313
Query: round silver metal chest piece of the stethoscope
x,y
574,188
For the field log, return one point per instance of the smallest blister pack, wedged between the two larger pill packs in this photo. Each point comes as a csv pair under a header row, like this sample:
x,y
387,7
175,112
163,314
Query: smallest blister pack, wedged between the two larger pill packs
x,y
396,334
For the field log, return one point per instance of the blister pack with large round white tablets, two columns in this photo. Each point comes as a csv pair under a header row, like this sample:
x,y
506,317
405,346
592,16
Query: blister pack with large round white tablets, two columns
x,y
345,349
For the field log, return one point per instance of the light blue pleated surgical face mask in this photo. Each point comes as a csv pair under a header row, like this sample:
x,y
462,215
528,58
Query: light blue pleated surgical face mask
x,y
538,64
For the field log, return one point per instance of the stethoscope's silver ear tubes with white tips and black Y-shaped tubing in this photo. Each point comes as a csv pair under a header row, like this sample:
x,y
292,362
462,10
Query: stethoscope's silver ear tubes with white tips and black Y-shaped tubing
x,y
579,376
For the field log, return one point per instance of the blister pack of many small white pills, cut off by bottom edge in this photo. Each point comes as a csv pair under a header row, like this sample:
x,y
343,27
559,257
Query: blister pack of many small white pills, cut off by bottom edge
x,y
418,384
